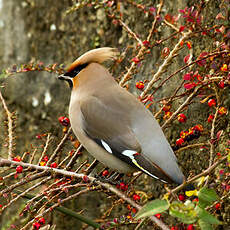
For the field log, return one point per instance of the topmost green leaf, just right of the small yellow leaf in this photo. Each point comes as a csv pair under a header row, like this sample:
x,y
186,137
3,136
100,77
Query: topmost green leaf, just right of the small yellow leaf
x,y
206,197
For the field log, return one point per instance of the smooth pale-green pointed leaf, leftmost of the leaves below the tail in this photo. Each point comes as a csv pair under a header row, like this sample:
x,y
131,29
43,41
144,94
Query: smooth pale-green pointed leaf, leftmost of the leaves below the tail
x,y
152,208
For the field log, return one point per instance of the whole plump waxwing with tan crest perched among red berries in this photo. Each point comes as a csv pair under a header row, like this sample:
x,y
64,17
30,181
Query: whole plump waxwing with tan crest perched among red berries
x,y
113,125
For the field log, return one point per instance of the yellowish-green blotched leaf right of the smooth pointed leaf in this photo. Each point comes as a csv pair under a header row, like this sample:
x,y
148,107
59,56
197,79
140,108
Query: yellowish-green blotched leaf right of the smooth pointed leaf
x,y
186,213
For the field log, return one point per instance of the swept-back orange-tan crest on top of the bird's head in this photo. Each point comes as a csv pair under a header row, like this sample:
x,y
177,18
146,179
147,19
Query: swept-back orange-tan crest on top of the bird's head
x,y
96,55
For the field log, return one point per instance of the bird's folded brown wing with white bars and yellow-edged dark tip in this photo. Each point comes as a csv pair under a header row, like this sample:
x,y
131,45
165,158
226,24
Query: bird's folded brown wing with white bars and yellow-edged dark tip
x,y
109,126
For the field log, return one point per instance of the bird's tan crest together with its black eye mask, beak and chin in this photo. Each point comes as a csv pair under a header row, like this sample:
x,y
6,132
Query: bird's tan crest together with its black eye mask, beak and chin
x,y
96,55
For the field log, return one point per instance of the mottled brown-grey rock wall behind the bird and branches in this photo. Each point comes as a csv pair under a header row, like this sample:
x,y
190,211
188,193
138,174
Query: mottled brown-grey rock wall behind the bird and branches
x,y
42,31
